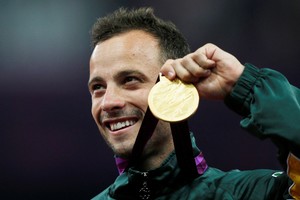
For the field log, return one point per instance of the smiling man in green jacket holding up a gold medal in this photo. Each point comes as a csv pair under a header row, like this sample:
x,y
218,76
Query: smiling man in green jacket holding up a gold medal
x,y
131,47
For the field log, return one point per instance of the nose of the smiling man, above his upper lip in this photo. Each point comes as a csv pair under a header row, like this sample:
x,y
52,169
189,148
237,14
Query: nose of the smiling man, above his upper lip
x,y
112,100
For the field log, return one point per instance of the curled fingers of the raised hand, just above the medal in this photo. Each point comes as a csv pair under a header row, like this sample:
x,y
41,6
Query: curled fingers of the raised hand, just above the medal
x,y
189,68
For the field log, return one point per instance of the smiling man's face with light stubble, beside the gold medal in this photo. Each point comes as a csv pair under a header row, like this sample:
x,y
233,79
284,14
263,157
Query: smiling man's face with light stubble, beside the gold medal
x,y
123,69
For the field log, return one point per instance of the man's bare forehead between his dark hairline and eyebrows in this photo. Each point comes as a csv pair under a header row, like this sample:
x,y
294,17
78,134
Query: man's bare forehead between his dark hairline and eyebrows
x,y
131,48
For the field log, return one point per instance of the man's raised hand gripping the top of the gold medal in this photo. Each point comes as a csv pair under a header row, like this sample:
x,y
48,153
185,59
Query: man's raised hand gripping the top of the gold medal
x,y
212,70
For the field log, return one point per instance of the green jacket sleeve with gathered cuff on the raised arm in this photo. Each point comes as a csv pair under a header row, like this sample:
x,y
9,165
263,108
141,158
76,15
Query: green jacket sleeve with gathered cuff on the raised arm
x,y
270,107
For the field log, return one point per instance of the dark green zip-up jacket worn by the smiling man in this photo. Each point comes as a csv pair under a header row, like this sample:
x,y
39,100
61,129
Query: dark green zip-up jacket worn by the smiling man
x,y
270,107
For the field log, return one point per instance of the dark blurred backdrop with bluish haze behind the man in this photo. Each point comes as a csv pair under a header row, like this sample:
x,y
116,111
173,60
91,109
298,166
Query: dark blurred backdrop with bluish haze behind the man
x,y
50,147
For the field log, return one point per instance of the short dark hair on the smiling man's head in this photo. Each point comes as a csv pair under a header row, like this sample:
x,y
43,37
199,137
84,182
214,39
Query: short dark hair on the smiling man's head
x,y
171,41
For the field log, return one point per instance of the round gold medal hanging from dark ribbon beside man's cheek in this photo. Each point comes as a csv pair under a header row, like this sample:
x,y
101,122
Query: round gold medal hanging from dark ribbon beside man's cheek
x,y
173,101
